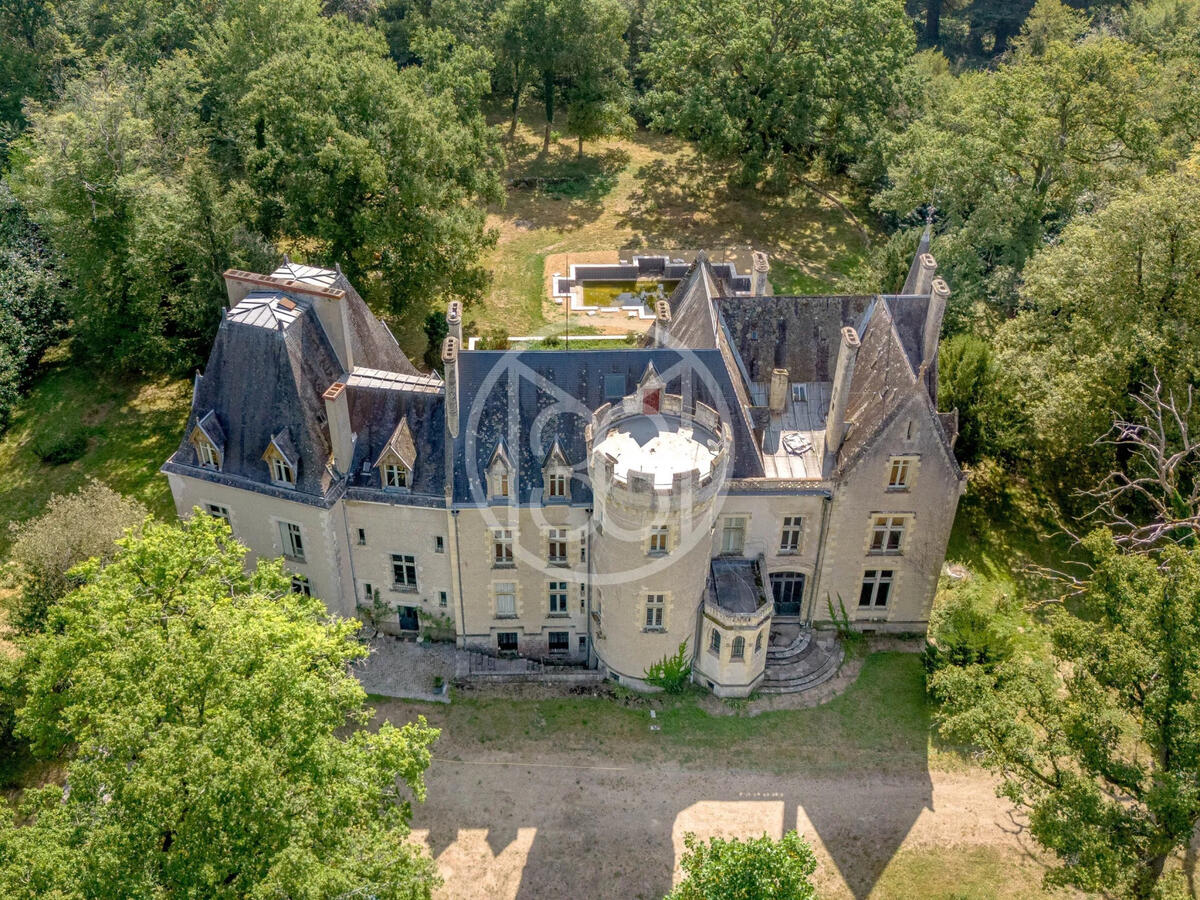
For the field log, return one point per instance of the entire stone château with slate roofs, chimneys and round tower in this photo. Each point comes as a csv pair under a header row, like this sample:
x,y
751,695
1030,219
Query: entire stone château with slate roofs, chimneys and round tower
x,y
760,464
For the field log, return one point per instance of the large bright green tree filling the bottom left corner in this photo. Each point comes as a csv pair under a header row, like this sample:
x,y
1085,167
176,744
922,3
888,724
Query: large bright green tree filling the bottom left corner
x,y
215,743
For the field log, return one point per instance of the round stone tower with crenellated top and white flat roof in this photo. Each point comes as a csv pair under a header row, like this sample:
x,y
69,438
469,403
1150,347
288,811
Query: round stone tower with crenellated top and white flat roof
x,y
657,467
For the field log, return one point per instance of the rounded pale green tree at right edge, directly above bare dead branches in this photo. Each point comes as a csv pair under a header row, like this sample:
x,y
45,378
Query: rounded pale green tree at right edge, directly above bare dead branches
x,y
1112,303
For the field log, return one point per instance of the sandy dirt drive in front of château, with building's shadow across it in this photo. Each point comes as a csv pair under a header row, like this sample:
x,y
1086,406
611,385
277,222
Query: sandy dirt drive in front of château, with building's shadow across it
x,y
596,830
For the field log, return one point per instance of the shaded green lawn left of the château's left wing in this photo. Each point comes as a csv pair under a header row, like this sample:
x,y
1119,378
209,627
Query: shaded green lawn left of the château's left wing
x,y
131,428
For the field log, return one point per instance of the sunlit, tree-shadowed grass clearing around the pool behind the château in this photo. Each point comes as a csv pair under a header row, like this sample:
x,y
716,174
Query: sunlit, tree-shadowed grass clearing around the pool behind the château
x,y
646,193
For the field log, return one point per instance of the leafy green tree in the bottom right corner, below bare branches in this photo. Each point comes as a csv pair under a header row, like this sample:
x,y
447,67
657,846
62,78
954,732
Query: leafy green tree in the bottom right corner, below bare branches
x,y
1100,743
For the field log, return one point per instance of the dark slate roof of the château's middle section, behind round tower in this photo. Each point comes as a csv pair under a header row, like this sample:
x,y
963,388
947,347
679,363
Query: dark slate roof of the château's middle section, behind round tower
x,y
553,395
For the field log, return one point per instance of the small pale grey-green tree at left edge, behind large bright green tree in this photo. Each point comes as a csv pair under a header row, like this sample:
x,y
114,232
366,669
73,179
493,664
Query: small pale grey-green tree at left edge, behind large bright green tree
x,y
71,530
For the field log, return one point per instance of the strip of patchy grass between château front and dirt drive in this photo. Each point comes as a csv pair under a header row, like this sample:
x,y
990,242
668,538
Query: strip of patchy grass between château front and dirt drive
x,y
880,724
